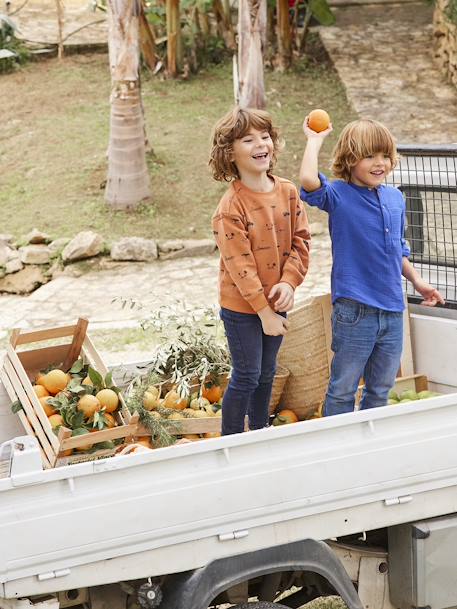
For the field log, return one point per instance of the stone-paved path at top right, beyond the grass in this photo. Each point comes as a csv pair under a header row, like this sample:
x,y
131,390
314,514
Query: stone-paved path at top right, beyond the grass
x,y
384,56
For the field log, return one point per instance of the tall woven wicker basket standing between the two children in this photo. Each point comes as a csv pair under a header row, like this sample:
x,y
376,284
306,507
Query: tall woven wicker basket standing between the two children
x,y
306,352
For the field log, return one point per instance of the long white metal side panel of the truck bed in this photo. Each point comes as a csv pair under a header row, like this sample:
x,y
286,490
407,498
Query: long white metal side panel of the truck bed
x,y
180,507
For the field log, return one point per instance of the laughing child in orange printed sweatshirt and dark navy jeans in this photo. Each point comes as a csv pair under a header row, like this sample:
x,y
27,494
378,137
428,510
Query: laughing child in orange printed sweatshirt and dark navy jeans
x,y
262,233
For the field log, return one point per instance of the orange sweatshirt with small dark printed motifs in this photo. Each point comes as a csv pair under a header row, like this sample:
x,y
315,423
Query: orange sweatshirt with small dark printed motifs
x,y
263,238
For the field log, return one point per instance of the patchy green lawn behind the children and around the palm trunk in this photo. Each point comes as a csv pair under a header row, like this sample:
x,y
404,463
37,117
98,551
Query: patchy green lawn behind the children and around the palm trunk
x,y
55,120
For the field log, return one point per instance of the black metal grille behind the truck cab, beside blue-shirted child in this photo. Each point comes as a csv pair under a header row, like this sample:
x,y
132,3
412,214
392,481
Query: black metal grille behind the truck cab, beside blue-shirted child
x,y
427,176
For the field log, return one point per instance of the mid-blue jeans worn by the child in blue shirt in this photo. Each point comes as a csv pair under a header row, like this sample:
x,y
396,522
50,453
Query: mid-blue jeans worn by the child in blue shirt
x,y
367,342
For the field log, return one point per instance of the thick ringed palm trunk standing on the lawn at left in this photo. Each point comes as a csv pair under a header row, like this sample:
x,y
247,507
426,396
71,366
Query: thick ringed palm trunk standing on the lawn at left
x,y
128,180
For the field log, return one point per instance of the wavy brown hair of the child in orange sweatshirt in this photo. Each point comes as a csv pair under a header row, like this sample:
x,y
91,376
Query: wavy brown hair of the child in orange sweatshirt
x,y
233,126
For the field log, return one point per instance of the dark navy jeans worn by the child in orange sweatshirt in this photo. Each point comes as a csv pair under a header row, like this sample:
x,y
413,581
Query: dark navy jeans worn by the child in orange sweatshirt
x,y
253,368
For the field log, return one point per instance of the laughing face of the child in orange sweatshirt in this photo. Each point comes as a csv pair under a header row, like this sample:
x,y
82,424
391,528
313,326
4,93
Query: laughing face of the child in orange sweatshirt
x,y
253,153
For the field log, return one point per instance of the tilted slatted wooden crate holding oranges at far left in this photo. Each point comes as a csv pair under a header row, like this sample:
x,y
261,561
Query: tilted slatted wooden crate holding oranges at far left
x,y
20,368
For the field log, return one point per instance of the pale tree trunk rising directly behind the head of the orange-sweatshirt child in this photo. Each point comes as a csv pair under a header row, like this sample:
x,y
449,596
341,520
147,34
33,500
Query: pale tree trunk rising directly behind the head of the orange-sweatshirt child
x,y
252,21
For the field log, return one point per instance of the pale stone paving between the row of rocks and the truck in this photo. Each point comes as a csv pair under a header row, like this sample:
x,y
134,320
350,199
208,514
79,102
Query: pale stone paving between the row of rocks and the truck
x,y
193,280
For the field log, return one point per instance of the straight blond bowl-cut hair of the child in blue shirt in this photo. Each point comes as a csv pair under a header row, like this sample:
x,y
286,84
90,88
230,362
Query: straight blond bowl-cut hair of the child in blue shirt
x,y
359,140
